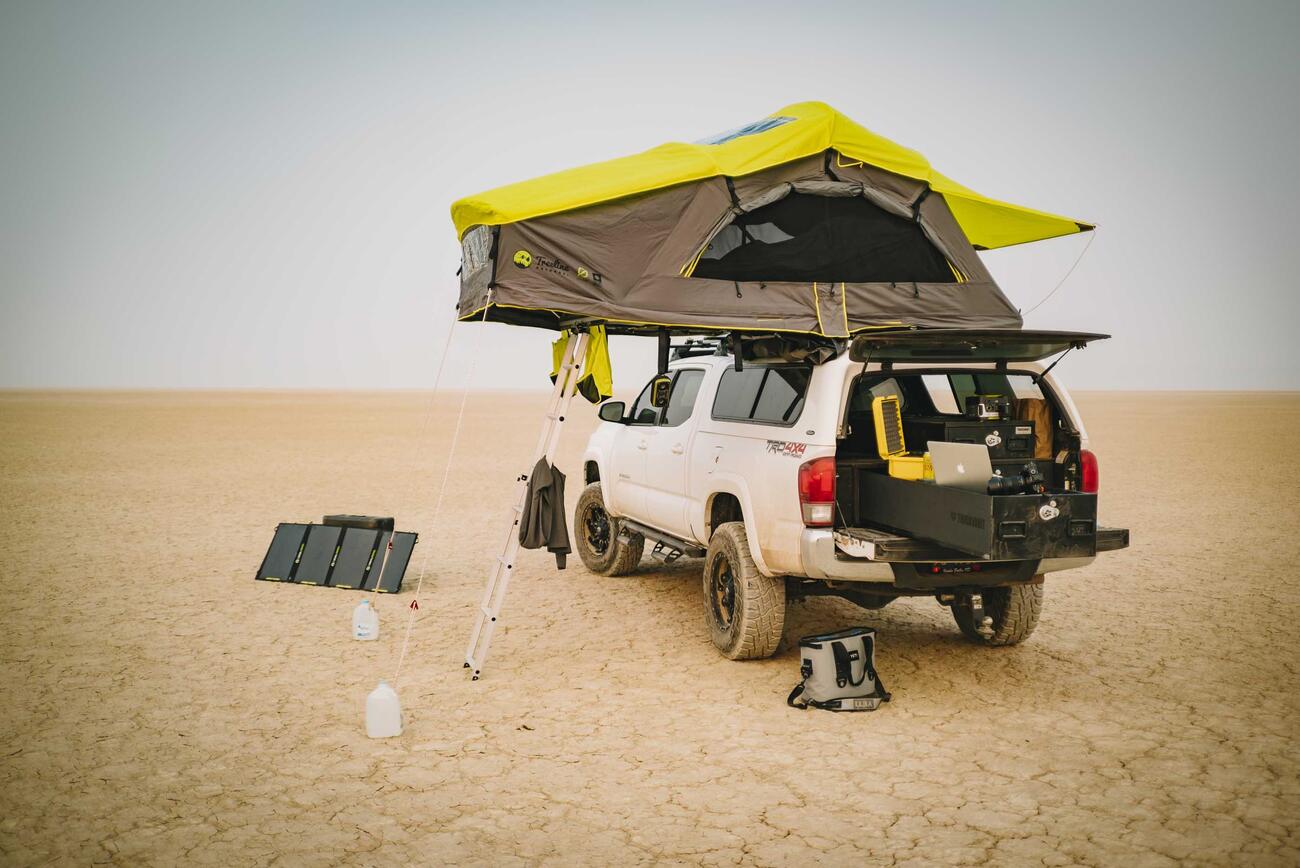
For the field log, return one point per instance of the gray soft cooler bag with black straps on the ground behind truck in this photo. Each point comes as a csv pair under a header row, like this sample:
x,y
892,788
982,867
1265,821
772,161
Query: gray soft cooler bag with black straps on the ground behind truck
x,y
839,672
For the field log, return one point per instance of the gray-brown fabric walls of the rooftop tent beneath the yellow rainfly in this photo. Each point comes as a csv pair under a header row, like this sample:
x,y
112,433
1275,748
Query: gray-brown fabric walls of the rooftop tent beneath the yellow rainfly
x,y
629,263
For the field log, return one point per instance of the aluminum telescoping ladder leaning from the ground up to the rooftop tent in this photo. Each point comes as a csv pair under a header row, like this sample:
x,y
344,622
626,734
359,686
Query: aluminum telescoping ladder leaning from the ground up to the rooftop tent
x,y
499,578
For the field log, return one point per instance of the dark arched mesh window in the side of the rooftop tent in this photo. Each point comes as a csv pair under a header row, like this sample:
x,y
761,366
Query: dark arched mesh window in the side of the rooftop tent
x,y
805,238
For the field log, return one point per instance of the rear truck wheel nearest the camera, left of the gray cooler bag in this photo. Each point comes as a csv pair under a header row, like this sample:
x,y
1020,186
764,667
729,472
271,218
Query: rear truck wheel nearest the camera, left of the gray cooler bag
x,y
746,610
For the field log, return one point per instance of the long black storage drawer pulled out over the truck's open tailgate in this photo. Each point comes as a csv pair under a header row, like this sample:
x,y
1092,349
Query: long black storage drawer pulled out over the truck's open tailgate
x,y
1008,527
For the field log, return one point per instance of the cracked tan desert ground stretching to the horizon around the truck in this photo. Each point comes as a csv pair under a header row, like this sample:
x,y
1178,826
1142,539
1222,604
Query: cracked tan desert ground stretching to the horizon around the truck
x,y
162,708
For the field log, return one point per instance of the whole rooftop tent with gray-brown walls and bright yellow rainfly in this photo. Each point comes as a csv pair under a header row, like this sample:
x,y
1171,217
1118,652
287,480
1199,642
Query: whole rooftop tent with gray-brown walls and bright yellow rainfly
x,y
803,223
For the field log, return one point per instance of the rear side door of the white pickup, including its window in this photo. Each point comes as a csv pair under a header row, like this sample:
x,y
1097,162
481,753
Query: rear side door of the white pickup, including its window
x,y
669,454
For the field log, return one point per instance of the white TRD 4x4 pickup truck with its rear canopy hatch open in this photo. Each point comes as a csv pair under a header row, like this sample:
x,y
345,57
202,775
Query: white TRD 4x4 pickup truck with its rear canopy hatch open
x,y
773,471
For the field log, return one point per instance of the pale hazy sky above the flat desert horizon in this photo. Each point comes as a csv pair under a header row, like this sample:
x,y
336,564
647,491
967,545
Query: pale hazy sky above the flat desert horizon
x,y
257,196
